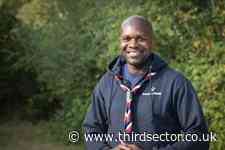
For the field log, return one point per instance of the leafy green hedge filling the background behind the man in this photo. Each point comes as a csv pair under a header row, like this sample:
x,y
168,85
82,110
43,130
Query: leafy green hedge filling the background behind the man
x,y
67,46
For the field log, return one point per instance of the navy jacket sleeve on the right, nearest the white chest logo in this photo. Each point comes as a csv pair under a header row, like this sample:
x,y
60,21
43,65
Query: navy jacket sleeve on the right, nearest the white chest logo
x,y
190,116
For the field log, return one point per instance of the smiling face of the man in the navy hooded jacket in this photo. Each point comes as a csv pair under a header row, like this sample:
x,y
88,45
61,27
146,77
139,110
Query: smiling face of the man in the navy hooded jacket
x,y
135,42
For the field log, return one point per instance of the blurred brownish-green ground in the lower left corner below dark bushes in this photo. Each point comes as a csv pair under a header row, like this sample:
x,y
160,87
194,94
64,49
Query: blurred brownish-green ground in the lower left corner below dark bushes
x,y
25,136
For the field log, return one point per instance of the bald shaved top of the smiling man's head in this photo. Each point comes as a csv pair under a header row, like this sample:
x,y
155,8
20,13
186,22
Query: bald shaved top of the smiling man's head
x,y
138,21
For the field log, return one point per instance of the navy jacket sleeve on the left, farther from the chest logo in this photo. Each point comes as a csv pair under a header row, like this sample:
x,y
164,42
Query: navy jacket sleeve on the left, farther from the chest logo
x,y
95,122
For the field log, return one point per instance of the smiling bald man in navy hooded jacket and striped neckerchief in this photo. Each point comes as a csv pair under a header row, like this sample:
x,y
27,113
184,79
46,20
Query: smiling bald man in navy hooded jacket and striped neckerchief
x,y
141,94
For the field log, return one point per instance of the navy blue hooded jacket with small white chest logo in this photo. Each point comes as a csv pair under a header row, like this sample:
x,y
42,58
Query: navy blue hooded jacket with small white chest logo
x,y
165,103
